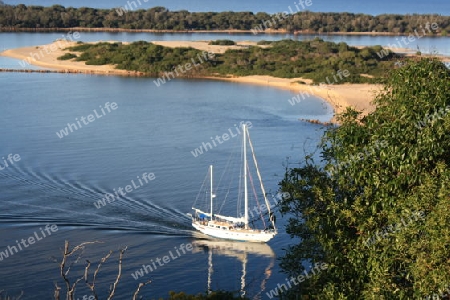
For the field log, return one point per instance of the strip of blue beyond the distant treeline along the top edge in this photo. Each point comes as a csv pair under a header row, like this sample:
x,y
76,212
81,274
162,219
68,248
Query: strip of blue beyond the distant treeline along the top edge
x,y
356,6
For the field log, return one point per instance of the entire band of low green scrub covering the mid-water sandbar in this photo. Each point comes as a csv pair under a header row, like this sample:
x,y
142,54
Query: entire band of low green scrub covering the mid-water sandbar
x,y
315,59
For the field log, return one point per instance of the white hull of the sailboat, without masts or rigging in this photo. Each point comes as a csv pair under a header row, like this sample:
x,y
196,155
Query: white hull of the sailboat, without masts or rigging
x,y
235,234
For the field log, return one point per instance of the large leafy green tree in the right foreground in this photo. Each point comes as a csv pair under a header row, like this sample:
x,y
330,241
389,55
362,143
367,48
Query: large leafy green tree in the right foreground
x,y
376,209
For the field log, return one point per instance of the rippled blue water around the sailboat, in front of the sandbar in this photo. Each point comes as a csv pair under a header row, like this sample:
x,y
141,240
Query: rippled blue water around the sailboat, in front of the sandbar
x,y
153,130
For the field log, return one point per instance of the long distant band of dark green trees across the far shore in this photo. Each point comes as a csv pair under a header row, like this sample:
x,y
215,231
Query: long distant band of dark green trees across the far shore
x,y
159,18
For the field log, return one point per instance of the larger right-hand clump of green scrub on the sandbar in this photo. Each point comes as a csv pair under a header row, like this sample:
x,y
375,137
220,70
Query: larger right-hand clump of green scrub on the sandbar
x,y
315,59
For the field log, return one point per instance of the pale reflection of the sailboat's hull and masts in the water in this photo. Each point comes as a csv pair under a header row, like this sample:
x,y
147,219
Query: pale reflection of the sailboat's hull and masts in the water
x,y
243,251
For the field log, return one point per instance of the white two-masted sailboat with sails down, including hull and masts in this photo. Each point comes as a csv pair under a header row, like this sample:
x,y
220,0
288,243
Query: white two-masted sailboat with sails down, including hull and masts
x,y
236,228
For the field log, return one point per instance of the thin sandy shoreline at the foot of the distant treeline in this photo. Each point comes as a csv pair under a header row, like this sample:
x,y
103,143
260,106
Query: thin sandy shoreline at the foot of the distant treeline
x,y
229,31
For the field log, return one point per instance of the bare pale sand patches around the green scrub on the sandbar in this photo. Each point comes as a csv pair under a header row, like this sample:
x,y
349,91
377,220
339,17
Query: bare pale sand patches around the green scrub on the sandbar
x,y
358,96
